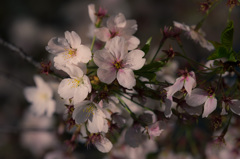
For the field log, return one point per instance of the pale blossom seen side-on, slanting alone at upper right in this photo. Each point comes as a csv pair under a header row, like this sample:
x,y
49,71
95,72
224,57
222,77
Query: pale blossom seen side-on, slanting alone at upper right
x,y
196,35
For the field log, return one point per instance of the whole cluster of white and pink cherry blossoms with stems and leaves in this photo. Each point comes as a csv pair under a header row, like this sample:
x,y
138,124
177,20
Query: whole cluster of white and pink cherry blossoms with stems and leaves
x,y
115,90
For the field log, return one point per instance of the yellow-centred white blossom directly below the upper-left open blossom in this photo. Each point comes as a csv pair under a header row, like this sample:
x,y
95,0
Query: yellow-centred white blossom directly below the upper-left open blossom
x,y
77,87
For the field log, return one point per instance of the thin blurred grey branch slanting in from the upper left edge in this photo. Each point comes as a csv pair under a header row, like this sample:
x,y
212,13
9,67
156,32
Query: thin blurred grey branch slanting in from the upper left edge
x,y
18,50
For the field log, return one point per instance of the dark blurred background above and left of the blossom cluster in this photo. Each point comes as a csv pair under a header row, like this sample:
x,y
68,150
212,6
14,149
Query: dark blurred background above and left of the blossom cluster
x,y
29,24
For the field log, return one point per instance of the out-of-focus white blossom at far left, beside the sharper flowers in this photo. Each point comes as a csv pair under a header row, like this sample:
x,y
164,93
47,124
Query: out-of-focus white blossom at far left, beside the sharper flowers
x,y
40,97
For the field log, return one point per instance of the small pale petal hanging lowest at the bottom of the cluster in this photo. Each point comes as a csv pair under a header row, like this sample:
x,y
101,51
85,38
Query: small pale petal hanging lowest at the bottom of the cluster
x,y
104,145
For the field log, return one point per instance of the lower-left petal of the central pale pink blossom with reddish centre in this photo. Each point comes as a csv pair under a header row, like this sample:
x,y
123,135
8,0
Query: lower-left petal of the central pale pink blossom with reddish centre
x,y
106,76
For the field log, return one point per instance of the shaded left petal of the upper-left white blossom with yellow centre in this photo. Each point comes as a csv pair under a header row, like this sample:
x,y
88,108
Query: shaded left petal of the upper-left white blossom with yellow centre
x,y
57,45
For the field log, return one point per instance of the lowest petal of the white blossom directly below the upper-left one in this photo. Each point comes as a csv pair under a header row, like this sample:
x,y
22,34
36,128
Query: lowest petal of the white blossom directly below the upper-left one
x,y
80,94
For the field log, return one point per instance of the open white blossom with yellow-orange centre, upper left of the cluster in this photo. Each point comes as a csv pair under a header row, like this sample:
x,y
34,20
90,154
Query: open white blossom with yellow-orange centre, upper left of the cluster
x,y
68,50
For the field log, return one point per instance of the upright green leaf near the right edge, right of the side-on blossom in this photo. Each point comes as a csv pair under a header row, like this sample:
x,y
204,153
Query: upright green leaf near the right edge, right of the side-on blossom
x,y
227,35
